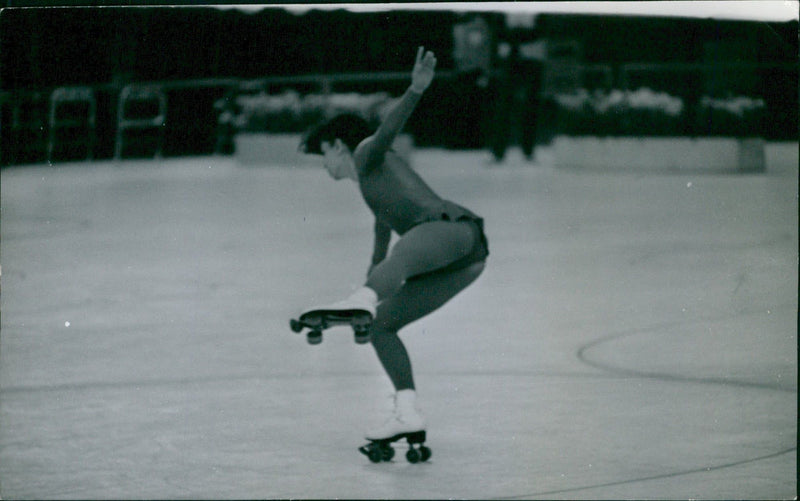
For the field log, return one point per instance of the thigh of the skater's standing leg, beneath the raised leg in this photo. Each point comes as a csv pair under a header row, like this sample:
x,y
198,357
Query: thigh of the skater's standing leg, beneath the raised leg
x,y
422,295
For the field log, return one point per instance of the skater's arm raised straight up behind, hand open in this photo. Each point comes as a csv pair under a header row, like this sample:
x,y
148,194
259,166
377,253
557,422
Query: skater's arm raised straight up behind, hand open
x,y
375,147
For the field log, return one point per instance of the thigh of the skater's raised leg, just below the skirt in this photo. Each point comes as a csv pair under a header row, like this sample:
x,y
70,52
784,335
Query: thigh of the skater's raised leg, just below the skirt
x,y
433,245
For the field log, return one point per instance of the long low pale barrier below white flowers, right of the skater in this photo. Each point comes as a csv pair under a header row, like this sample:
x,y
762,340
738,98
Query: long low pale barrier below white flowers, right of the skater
x,y
735,155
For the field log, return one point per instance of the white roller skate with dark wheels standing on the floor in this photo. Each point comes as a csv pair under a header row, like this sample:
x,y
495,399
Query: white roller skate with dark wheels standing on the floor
x,y
407,423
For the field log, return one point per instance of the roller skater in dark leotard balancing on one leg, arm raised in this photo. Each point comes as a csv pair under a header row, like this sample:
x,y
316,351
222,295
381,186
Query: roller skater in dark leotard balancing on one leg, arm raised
x,y
440,251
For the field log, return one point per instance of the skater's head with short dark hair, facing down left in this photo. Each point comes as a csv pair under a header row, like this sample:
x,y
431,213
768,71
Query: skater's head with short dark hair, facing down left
x,y
336,139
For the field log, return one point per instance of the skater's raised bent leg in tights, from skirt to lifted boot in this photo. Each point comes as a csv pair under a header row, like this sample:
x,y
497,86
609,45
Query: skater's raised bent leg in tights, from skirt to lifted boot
x,y
424,248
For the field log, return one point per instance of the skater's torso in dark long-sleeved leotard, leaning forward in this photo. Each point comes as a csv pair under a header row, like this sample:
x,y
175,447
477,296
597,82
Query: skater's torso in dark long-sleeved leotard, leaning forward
x,y
401,199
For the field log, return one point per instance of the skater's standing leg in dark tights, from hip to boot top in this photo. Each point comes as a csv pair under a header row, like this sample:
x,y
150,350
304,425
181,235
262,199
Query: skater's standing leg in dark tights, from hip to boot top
x,y
417,297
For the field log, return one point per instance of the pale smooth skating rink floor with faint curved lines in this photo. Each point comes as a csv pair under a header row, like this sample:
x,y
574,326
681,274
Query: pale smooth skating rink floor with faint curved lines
x,y
634,335
